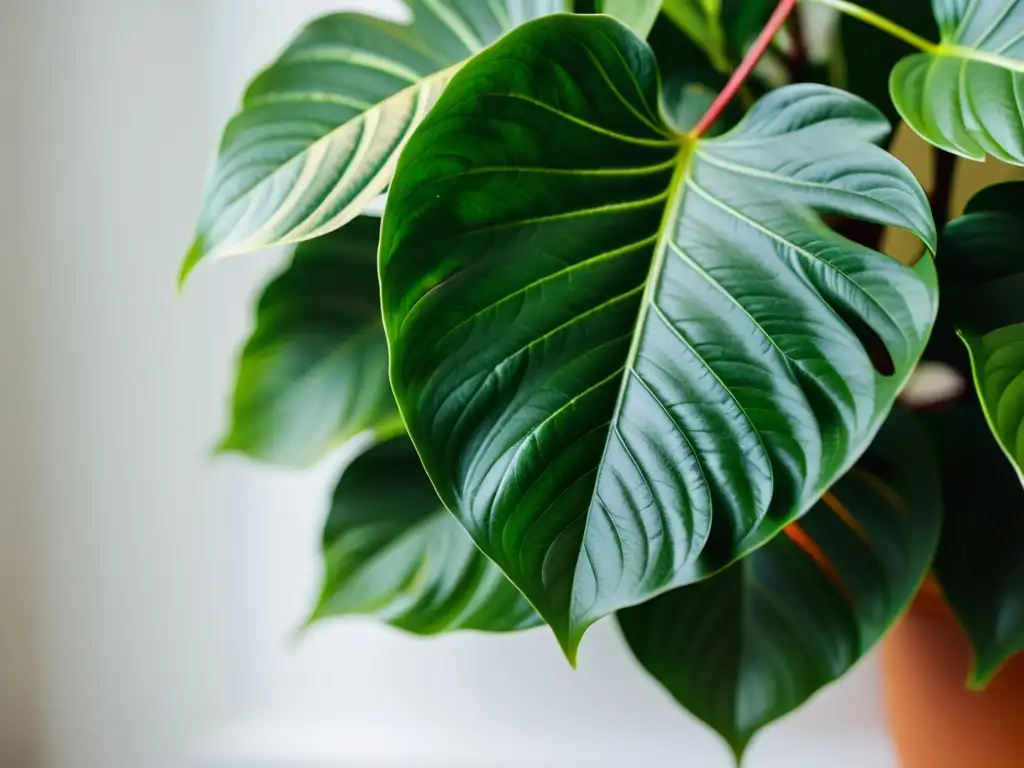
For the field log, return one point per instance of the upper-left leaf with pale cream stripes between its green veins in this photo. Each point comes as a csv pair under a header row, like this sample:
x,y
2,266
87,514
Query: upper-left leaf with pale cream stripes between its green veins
x,y
321,130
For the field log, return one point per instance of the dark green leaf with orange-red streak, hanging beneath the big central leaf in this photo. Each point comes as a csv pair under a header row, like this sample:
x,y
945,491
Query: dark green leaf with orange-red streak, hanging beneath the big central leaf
x,y
754,643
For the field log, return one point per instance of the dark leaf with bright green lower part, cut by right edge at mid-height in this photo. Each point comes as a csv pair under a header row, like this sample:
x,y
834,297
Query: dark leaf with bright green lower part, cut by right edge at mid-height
x,y
983,272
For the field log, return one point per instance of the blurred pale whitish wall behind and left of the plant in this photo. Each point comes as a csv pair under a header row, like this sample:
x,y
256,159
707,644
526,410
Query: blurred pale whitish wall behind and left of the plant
x,y
150,595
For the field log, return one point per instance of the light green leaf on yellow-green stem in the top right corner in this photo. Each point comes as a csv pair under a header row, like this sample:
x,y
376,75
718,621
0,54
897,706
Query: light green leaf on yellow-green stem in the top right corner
x,y
965,96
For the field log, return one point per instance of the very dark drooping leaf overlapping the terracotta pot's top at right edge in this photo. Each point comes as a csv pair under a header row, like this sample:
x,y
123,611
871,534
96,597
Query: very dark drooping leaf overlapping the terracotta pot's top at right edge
x,y
979,564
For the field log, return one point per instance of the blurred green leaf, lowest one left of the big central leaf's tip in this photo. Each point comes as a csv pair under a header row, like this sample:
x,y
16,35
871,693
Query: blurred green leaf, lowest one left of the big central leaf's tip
x,y
393,551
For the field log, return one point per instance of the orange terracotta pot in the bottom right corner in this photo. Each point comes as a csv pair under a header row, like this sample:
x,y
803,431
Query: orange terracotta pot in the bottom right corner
x,y
936,722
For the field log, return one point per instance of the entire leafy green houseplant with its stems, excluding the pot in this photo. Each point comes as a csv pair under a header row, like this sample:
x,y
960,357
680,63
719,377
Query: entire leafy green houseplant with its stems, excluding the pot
x,y
625,343
